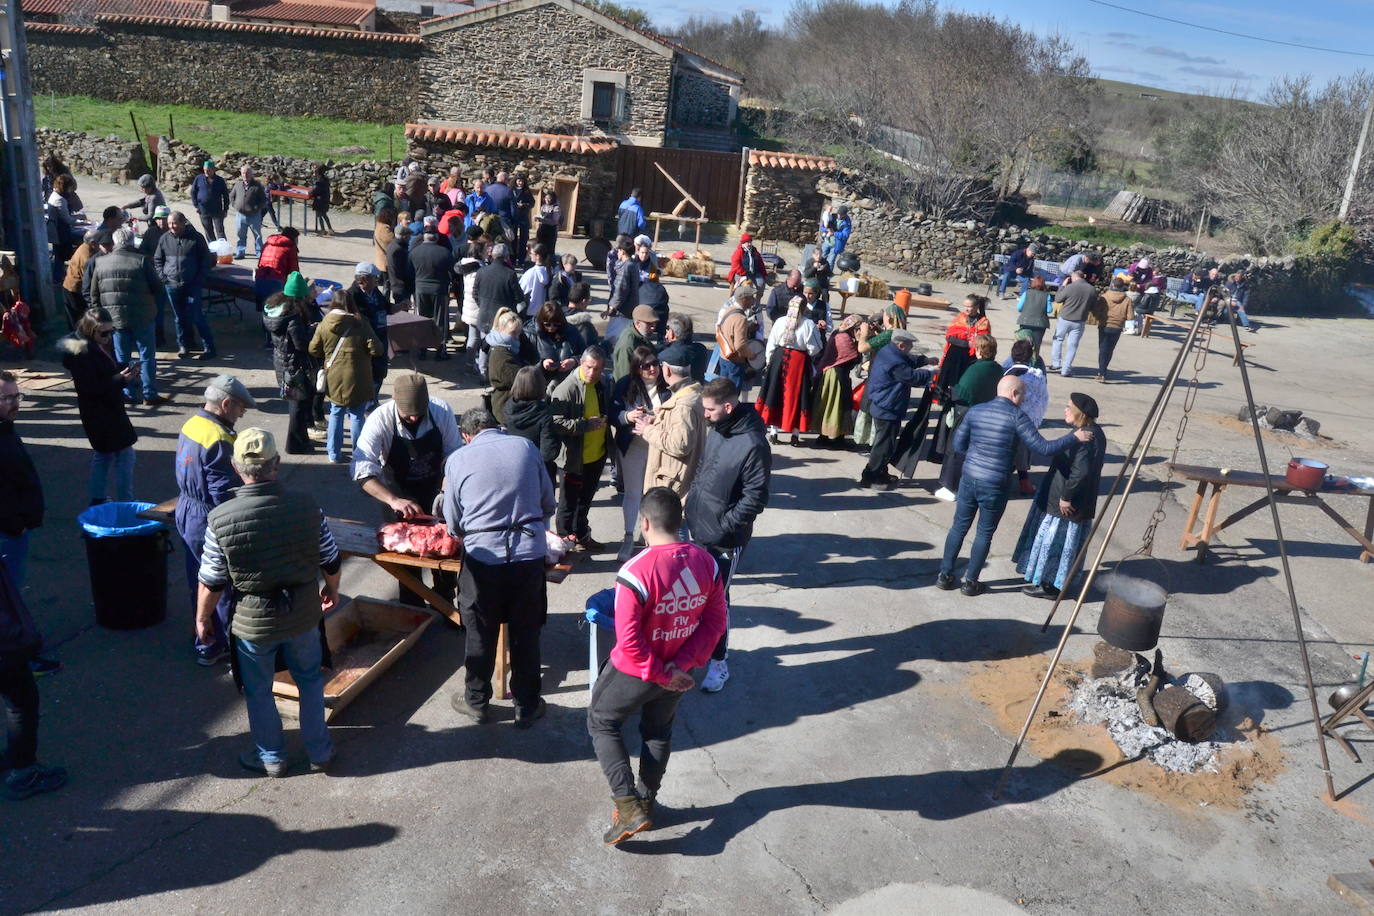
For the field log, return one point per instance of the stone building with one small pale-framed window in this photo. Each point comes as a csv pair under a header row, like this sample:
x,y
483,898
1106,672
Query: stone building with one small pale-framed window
x,y
557,67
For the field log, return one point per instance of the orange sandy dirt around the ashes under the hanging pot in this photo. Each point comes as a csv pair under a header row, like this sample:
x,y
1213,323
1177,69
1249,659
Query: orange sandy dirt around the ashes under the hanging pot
x,y
1009,687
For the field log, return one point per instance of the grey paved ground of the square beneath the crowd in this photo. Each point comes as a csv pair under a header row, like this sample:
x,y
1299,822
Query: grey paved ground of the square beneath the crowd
x,y
846,767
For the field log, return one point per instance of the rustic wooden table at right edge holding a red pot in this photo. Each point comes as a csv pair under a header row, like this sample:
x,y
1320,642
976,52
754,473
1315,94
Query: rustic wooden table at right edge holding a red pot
x,y
1214,480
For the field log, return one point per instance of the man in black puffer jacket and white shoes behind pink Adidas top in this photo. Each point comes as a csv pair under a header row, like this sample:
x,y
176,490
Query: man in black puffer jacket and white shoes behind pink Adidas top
x,y
729,494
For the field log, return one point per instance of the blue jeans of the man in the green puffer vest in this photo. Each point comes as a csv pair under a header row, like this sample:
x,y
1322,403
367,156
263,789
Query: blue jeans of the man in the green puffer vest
x,y
258,667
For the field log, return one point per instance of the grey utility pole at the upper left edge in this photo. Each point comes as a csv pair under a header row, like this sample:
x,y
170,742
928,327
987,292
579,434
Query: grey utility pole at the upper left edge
x,y
23,227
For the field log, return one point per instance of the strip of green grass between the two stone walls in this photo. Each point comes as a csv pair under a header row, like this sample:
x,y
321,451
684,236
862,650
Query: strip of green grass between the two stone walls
x,y
219,133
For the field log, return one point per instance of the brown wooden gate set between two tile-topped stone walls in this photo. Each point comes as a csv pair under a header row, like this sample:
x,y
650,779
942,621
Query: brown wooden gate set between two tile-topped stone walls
x,y
711,178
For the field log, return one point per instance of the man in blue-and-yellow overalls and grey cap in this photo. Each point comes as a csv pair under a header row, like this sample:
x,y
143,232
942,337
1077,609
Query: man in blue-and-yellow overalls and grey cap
x,y
205,477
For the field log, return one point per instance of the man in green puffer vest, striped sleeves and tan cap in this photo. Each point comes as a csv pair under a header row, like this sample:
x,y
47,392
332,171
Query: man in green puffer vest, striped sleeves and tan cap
x,y
271,546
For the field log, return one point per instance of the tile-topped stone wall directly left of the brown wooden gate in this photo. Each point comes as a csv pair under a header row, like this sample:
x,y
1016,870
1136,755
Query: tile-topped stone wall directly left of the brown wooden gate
x,y
597,174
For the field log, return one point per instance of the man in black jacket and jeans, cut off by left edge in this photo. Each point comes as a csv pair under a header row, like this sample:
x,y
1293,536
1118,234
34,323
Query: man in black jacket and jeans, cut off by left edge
x,y
21,501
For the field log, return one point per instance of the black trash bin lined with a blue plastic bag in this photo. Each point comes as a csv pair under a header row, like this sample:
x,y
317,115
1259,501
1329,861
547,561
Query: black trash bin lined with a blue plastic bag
x,y
127,558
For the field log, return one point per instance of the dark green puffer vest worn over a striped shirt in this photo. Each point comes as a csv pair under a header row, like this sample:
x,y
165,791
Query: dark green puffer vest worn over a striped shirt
x,y
271,542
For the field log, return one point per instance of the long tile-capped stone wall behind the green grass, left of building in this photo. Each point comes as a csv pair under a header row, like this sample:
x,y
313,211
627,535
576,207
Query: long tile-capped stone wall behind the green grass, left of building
x,y
248,69
